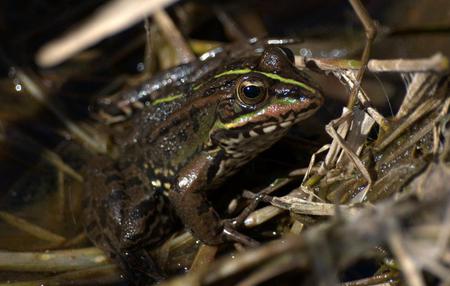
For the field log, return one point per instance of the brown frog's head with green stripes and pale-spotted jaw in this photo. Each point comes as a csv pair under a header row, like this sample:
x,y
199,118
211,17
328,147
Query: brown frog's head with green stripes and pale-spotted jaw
x,y
262,98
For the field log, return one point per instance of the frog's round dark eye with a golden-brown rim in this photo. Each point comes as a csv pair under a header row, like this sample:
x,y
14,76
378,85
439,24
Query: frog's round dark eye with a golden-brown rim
x,y
251,91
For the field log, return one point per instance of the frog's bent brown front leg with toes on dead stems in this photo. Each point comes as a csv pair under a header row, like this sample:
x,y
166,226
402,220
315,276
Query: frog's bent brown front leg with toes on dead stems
x,y
194,209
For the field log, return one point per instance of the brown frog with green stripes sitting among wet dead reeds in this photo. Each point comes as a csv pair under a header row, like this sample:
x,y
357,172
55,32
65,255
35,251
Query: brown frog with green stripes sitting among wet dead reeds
x,y
186,140
